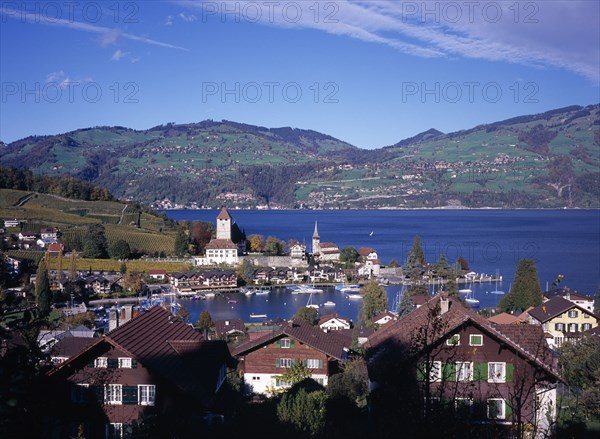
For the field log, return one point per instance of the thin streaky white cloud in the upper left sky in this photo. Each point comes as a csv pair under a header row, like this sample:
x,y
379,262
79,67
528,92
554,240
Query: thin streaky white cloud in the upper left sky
x,y
108,36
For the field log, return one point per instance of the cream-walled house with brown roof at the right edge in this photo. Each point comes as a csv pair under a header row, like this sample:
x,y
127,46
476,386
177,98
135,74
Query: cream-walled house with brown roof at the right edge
x,y
562,320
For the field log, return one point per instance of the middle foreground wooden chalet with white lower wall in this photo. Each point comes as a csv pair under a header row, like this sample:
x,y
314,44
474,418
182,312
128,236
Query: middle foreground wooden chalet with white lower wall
x,y
265,358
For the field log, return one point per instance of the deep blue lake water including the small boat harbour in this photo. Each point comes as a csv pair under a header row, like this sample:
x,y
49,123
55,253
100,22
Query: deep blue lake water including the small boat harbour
x,y
560,241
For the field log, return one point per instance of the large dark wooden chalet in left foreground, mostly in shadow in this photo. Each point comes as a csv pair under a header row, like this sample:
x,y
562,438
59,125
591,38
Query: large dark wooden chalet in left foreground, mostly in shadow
x,y
153,374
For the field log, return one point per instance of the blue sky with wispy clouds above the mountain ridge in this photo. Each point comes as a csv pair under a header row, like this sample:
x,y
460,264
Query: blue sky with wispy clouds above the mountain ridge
x,y
367,72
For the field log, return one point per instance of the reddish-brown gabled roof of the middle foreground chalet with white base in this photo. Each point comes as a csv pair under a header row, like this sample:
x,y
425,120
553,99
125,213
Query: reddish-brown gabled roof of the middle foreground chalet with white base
x,y
329,343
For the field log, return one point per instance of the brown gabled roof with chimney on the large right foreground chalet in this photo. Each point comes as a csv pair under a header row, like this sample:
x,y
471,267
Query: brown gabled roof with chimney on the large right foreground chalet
x,y
428,326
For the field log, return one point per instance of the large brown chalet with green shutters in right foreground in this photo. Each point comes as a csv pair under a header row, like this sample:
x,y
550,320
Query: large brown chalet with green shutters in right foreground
x,y
452,364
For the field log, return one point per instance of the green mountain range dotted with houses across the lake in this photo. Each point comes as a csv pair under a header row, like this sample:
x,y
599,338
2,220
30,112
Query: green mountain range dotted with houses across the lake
x,y
546,160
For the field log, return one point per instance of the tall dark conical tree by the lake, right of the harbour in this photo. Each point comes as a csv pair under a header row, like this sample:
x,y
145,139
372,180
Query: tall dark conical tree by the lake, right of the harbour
x,y
525,291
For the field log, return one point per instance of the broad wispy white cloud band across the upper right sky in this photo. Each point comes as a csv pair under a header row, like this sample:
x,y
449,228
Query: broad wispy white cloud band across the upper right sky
x,y
561,34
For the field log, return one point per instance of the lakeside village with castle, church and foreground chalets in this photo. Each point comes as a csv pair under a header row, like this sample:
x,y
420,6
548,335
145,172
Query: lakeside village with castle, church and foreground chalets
x,y
496,374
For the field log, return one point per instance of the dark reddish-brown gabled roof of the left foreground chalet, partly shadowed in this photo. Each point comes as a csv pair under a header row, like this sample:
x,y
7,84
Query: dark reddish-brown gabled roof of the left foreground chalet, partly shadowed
x,y
167,347
